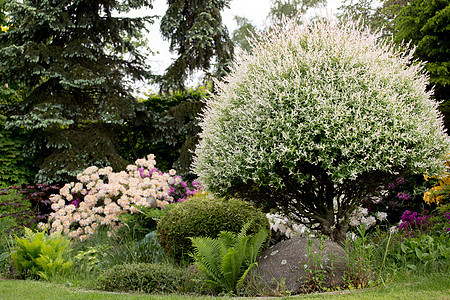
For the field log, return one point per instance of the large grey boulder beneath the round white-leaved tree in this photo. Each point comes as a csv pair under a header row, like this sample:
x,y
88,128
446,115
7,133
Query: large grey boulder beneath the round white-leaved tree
x,y
290,264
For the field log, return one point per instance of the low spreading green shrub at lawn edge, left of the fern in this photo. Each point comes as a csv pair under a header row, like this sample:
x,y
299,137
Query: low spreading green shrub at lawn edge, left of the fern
x,y
150,278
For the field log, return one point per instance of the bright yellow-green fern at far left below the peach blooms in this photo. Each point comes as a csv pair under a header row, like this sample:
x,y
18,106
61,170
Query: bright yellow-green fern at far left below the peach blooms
x,y
38,255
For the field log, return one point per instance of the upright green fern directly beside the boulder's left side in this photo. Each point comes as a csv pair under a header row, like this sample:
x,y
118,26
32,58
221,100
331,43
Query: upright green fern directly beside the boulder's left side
x,y
227,259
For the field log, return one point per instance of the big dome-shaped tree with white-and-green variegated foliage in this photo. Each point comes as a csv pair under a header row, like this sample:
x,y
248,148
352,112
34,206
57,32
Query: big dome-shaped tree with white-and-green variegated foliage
x,y
315,119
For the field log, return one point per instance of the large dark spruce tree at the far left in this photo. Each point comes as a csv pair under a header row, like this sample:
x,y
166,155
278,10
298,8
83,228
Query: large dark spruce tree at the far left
x,y
70,54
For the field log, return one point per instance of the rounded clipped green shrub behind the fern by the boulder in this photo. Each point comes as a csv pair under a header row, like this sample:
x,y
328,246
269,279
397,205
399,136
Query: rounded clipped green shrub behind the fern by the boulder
x,y
203,215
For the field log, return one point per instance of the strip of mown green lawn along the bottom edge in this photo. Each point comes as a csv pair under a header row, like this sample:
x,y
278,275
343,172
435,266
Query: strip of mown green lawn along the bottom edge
x,y
404,286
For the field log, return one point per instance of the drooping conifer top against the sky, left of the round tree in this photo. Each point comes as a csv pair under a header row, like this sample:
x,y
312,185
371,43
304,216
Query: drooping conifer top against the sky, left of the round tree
x,y
197,35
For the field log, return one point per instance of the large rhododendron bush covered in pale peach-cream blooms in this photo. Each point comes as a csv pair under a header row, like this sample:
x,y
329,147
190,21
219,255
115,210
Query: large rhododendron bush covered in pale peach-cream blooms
x,y
101,196
